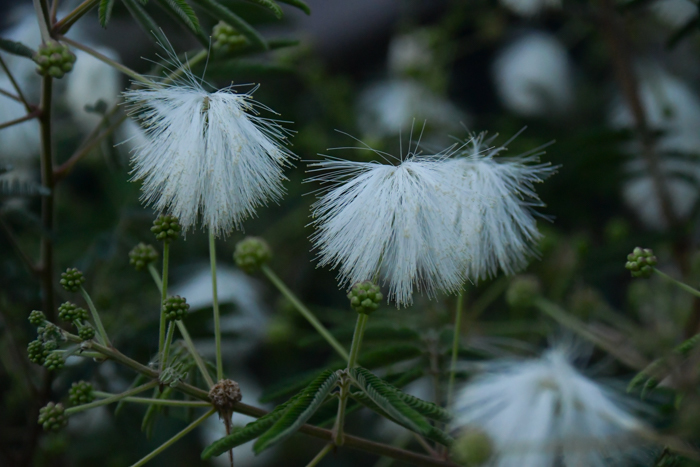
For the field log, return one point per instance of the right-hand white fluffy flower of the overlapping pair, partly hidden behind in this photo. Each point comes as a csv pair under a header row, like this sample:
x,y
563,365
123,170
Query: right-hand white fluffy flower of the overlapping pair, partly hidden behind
x,y
496,216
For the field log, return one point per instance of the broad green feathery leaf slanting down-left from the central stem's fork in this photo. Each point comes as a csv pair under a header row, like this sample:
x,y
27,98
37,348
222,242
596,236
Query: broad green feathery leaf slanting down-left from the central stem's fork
x,y
310,399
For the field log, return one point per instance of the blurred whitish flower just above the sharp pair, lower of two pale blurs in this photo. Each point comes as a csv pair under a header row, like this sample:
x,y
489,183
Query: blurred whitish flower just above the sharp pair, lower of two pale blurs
x,y
389,107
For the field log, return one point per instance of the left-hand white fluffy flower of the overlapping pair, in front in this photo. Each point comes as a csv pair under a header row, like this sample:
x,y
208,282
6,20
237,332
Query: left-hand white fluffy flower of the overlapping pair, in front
x,y
389,222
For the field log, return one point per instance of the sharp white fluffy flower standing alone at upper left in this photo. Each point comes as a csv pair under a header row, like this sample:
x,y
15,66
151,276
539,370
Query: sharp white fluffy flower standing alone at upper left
x,y
208,155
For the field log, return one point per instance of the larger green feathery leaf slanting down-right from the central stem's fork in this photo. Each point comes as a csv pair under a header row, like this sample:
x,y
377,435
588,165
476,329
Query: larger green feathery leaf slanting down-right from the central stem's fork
x,y
385,398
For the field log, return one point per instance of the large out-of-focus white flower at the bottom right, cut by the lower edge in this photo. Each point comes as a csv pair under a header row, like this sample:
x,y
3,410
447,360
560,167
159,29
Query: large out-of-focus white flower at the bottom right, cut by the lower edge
x,y
544,413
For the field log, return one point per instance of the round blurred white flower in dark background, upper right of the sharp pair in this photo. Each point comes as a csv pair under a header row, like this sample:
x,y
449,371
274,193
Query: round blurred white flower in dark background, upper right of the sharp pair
x,y
533,76
